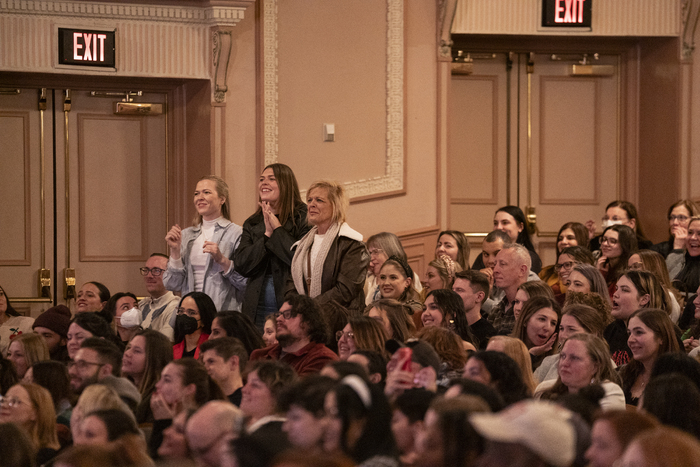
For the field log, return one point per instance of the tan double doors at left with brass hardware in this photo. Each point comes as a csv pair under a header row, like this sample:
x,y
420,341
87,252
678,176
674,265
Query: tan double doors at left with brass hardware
x,y
84,193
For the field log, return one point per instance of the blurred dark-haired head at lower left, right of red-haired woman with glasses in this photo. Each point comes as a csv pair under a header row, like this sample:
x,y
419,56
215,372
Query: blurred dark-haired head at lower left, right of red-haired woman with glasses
x,y
104,426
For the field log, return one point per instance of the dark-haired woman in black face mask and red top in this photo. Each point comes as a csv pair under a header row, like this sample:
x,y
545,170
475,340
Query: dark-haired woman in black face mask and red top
x,y
195,315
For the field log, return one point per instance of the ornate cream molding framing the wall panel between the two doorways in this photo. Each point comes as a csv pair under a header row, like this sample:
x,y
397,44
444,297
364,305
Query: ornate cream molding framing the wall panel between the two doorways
x,y
392,181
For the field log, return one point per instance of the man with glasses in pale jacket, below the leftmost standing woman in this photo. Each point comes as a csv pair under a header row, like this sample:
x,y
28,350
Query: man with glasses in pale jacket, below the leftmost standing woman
x,y
158,309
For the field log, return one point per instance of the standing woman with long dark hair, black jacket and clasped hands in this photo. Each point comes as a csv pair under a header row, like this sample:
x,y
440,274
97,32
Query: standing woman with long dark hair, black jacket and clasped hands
x,y
265,254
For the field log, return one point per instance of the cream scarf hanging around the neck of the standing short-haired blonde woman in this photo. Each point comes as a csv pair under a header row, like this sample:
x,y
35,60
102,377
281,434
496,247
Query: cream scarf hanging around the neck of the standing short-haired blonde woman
x,y
299,262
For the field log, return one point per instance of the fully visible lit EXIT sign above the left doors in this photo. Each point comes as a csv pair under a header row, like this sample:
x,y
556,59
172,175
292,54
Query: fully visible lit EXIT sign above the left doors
x,y
85,47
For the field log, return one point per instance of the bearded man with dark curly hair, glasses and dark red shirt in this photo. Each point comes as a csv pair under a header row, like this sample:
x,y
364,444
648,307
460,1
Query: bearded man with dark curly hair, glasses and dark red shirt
x,y
302,331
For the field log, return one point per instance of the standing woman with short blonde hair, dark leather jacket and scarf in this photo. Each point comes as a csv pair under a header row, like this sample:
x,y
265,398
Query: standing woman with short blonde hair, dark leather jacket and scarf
x,y
330,262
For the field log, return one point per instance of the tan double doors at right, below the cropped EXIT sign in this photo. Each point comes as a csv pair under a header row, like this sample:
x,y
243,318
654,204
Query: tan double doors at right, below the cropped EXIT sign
x,y
533,130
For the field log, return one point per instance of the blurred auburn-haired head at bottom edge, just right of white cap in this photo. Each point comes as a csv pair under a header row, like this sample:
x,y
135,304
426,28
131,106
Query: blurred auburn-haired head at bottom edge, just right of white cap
x,y
612,432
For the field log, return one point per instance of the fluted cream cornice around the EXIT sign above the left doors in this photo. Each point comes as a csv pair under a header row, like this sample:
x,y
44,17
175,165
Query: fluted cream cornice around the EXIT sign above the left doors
x,y
152,40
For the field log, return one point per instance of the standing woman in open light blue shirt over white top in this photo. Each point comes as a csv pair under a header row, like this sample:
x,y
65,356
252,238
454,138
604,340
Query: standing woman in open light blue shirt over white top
x,y
201,256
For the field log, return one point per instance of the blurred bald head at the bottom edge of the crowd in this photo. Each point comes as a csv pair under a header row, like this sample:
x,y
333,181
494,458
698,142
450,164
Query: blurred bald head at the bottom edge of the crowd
x,y
210,428
